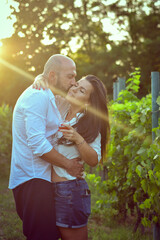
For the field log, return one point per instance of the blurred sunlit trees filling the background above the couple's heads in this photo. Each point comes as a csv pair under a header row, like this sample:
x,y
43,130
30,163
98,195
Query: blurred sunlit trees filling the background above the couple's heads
x,y
108,38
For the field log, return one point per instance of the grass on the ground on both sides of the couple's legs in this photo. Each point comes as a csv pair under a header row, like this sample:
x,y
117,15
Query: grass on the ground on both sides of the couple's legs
x,y
100,228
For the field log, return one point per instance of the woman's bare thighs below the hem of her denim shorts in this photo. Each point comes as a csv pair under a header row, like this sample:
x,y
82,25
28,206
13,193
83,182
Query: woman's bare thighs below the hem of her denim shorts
x,y
74,233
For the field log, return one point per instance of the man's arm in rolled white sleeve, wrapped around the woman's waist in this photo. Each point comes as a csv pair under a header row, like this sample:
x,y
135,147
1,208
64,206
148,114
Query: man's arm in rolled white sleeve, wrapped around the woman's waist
x,y
35,124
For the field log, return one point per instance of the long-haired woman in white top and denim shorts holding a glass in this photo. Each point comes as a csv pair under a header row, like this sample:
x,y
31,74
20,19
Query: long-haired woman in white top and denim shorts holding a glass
x,y
86,136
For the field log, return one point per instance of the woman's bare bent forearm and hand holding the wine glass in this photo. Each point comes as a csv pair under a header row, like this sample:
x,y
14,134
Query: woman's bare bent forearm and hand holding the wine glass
x,y
87,153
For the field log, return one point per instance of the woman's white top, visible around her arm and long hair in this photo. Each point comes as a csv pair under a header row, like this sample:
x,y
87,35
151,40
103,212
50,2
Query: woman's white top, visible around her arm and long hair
x,y
71,152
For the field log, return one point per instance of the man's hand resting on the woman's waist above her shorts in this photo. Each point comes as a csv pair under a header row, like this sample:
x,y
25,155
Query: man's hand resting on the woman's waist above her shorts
x,y
75,168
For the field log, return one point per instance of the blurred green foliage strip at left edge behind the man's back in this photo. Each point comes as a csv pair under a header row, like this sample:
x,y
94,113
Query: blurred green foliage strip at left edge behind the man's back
x,y
5,138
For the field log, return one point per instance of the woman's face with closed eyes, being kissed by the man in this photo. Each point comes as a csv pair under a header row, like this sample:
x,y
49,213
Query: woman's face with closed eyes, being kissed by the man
x,y
81,92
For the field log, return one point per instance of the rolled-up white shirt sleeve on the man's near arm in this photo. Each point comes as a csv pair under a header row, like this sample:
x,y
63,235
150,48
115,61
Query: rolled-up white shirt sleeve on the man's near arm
x,y
35,123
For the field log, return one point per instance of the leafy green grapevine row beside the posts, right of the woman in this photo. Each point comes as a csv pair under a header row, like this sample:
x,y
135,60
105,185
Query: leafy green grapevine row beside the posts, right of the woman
x,y
133,163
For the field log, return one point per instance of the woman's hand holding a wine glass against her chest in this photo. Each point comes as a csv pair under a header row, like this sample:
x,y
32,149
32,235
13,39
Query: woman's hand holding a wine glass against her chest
x,y
71,134
